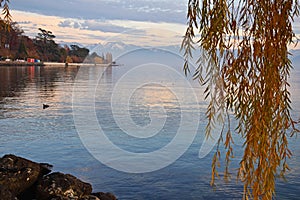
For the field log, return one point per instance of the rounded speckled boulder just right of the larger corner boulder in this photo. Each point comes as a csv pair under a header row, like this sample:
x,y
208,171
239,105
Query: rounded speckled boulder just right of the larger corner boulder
x,y
62,186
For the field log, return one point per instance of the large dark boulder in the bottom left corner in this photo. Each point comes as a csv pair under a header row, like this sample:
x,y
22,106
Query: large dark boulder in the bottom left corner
x,y
17,175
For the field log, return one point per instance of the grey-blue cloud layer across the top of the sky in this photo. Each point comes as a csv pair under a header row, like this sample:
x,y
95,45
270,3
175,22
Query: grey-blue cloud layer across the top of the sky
x,y
142,10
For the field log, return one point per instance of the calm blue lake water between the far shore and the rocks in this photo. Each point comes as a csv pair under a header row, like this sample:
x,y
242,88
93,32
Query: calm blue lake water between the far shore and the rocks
x,y
147,97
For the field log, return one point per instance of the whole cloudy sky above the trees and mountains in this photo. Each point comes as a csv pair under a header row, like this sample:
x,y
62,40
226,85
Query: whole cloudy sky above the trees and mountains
x,y
139,22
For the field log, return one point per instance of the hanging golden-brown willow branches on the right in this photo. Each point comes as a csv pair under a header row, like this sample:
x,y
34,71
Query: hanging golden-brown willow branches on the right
x,y
247,74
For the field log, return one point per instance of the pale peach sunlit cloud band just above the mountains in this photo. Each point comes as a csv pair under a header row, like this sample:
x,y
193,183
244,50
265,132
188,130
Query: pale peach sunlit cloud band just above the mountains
x,y
91,31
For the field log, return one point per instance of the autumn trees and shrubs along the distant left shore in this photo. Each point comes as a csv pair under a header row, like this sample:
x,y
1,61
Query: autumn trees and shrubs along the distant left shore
x,y
15,45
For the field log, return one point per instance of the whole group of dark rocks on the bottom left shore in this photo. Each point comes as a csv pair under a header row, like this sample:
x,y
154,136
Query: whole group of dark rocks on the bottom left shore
x,y
22,179
